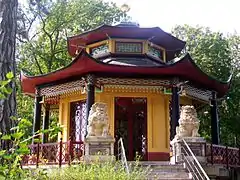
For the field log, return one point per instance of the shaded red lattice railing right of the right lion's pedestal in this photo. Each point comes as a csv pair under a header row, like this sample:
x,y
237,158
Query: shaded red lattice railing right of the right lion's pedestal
x,y
217,154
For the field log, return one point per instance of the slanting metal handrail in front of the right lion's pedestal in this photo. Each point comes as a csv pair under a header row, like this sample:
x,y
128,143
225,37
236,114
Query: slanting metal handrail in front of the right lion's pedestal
x,y
192,164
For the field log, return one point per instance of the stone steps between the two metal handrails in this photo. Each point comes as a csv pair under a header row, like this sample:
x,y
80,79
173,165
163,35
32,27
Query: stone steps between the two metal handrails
x,y
164,171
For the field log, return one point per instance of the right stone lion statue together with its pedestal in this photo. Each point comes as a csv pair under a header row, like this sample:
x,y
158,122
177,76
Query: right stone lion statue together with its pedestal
x,y
188,130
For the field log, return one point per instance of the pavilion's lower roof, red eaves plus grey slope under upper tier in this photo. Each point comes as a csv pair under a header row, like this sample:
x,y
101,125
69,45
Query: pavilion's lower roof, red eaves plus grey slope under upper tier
x,y
184,68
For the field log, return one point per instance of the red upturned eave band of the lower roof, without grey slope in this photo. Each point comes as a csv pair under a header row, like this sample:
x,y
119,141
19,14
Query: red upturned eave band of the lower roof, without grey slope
x,y
84,63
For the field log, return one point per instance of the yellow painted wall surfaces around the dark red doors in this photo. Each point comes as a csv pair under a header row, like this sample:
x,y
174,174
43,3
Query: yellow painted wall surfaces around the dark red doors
x,y
158,122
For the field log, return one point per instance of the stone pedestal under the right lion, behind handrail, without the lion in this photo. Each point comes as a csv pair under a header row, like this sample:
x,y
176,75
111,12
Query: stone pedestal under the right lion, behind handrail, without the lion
x,y
196,144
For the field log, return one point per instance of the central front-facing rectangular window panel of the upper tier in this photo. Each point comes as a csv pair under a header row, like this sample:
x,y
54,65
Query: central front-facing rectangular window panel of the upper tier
x,y
128,47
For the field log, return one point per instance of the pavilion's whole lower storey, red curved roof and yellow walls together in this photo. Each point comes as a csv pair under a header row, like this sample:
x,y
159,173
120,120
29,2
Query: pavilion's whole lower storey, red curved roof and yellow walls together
x,y
151,96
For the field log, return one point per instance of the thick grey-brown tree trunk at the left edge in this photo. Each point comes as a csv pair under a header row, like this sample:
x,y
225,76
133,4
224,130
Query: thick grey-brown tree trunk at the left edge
x,y
8,28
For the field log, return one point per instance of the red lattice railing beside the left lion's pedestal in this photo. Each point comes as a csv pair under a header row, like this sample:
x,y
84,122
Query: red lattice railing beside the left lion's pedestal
x,y
54,153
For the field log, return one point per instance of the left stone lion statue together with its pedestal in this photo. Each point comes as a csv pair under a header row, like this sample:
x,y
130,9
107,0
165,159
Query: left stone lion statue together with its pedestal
x,y
99,144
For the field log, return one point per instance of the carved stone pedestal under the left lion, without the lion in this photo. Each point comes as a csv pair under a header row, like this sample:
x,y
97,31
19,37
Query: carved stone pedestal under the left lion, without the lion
x,y
99,148
